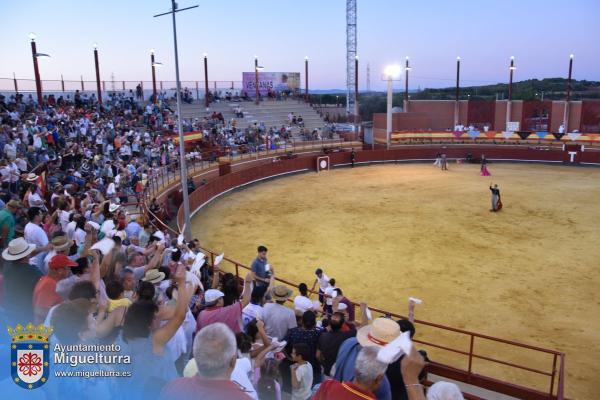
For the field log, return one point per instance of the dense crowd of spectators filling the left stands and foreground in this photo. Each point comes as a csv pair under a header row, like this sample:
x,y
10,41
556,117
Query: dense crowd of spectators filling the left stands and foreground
x,y
74,259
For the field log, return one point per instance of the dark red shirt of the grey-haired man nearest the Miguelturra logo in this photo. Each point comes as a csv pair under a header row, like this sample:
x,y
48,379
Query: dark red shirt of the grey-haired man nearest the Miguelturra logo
x,y
197,387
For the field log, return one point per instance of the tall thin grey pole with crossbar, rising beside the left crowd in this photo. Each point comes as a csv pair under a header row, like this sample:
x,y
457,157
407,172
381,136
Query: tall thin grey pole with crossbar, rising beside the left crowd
x,y
187,232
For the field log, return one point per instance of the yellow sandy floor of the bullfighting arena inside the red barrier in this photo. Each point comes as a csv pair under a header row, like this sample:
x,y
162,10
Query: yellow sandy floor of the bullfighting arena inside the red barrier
x,y
530,273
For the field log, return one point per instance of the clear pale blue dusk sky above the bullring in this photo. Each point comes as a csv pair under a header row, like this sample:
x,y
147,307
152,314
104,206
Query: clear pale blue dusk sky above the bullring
x,y
540,34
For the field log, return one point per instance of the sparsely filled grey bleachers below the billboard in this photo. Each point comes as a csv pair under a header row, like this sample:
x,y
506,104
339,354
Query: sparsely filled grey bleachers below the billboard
x,y
272,113
